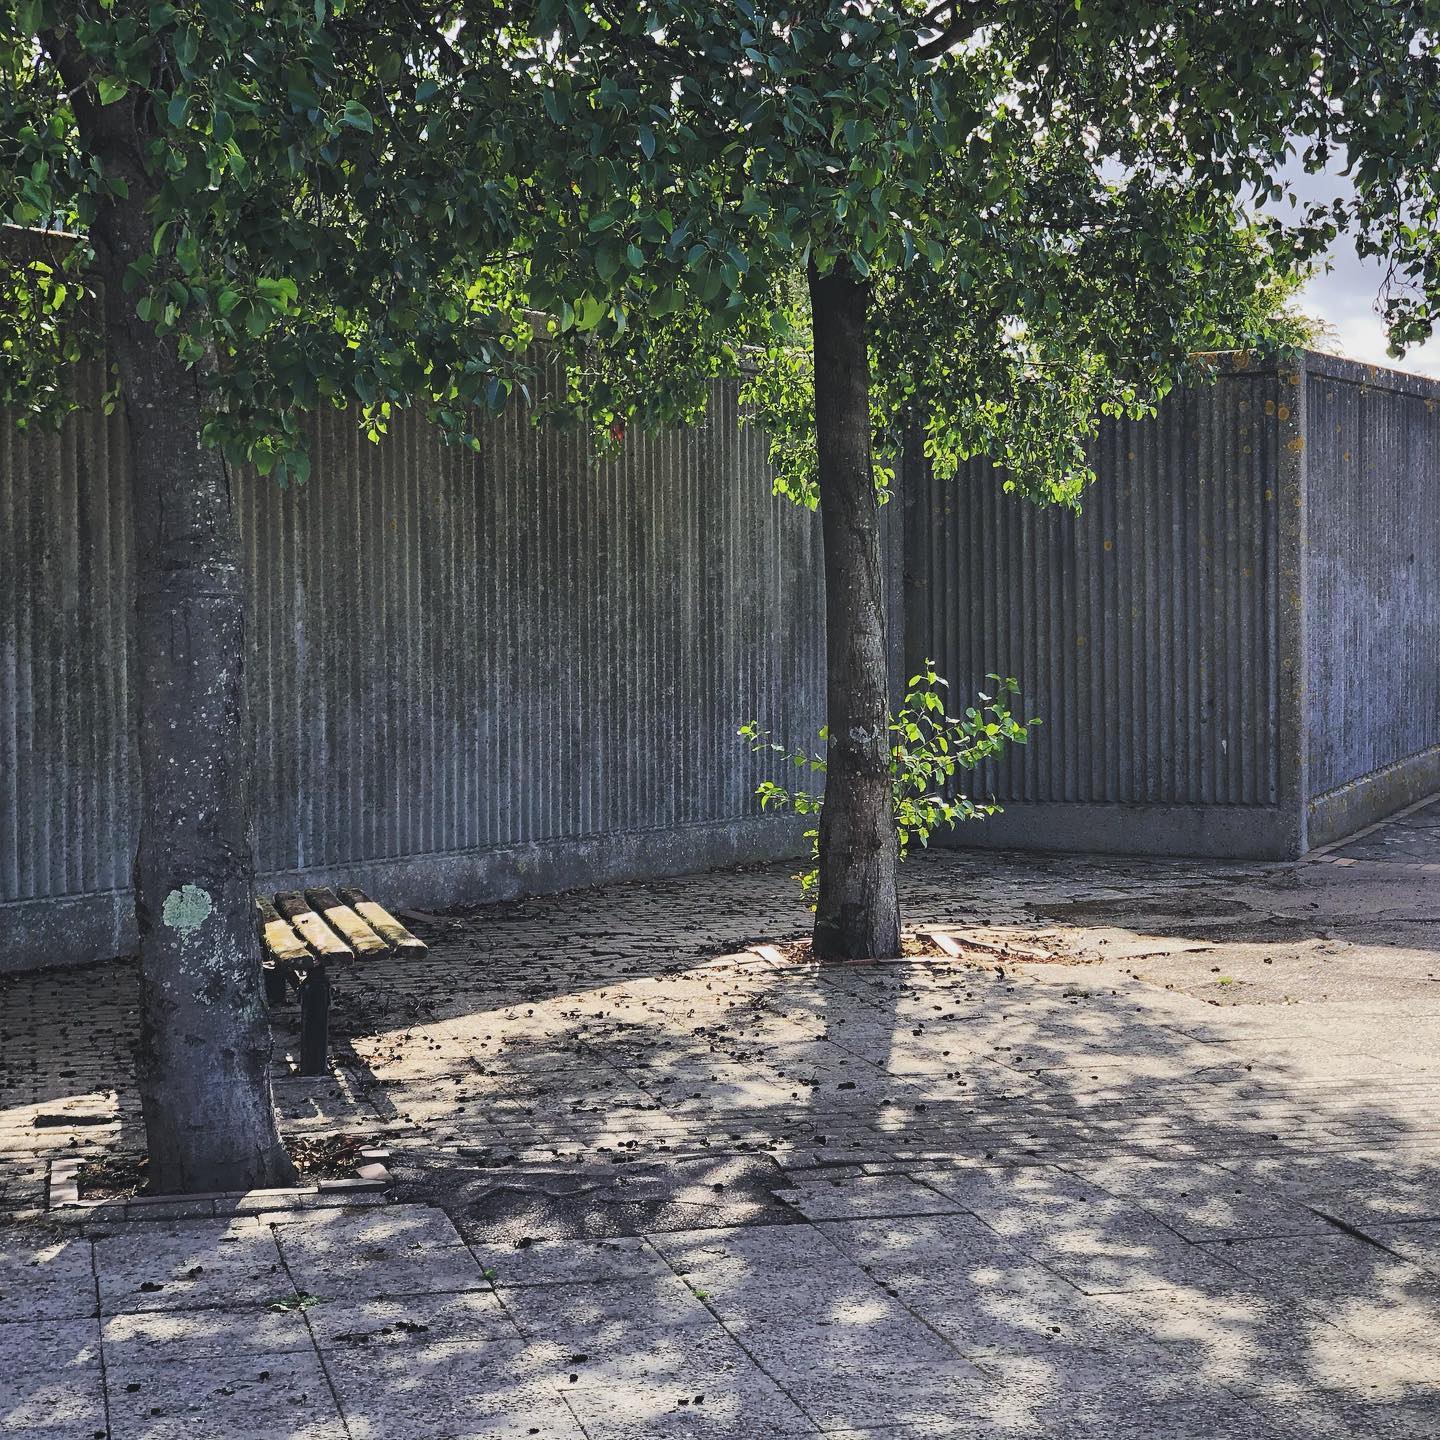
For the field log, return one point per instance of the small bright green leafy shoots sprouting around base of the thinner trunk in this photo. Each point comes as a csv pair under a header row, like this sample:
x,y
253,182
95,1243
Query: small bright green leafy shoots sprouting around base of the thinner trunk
x,y
928,747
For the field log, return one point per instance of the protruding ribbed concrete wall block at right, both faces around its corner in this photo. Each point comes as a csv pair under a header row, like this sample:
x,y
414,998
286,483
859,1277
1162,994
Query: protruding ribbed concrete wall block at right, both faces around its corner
x,y
1236,647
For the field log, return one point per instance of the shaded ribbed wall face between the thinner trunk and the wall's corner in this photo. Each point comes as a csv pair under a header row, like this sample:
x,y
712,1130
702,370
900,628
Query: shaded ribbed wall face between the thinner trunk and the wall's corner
x,y
1154,633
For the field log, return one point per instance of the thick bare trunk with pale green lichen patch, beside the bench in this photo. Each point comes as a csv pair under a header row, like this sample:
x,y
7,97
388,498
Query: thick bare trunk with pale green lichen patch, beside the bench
x,y
205,1043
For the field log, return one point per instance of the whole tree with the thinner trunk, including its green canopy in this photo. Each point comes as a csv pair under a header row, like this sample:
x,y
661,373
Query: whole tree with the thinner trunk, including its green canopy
x,y
990,220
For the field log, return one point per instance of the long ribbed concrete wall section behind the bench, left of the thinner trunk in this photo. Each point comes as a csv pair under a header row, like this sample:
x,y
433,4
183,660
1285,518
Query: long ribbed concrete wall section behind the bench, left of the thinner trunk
x,y
472,676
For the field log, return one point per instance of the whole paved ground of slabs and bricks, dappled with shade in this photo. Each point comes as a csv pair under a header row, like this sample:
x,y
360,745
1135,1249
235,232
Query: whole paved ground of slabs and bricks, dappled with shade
x,y
1160,1158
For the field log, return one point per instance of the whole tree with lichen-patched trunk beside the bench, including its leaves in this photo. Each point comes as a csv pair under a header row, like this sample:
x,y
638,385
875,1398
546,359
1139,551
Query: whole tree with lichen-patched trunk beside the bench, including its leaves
x,y
274,207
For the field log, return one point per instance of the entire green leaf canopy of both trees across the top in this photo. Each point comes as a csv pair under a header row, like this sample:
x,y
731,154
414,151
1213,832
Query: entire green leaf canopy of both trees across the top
x,y
368,204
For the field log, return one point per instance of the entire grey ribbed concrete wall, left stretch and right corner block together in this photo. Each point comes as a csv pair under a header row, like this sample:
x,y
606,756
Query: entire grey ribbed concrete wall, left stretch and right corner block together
x,y
483,676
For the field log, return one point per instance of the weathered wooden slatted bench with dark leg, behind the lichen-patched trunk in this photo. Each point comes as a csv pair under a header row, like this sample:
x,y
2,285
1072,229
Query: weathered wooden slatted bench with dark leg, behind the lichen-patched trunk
x,y
309,935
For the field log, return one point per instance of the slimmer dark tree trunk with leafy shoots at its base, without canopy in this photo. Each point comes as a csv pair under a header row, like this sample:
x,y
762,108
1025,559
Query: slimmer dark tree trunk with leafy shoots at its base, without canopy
x,y
859,911
